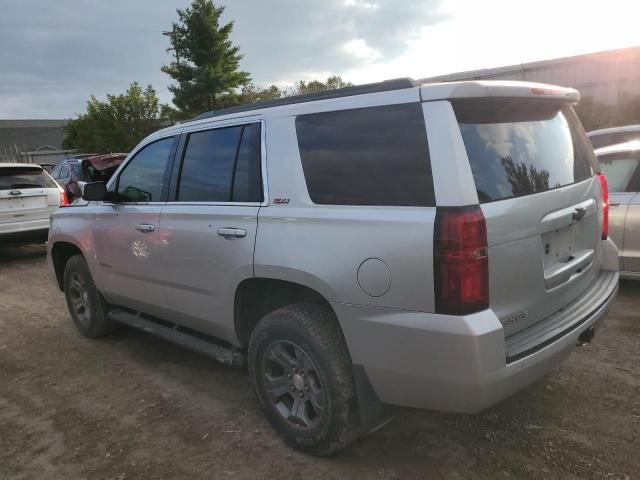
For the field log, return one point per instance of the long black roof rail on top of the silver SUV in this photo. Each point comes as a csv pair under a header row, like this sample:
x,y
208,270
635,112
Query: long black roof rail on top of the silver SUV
x,y
385,86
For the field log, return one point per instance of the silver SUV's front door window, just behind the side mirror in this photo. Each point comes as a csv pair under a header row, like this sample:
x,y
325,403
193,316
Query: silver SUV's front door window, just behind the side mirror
x,y
143,178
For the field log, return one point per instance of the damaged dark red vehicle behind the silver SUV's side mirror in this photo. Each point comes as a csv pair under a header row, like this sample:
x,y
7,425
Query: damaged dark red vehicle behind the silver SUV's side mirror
x,y
74,172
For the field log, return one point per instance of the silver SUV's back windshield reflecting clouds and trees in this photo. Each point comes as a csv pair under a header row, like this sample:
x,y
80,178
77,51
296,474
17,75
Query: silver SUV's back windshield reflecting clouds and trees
x,y
517,148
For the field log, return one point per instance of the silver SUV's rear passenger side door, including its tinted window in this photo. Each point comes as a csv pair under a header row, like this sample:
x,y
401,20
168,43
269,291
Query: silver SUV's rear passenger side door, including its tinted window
x,y
208,231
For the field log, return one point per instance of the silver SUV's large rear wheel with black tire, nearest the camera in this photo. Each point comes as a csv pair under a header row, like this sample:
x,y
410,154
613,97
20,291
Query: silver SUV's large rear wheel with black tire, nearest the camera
x,y
307,336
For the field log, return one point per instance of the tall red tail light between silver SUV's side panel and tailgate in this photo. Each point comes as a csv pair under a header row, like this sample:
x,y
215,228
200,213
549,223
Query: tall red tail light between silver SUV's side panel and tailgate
x,y
461,263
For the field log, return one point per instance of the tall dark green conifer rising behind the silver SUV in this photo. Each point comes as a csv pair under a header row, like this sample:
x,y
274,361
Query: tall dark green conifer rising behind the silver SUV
x,y
206,66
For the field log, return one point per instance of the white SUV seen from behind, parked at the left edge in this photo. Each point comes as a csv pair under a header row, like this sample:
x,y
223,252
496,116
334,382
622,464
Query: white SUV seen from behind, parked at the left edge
x,y
28,197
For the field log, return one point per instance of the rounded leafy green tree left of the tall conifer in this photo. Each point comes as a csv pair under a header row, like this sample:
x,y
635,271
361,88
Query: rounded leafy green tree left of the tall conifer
x,y
117,124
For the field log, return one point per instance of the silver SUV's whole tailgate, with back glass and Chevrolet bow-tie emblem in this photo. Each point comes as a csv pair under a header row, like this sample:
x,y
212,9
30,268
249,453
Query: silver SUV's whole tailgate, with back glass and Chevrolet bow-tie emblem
x,y
534,172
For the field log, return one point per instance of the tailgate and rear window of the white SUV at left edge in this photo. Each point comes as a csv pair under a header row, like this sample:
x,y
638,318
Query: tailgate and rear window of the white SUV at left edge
x,y
26,193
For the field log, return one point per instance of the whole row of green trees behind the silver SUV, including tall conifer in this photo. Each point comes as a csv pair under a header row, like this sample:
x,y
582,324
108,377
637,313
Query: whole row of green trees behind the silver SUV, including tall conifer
x,y
206,74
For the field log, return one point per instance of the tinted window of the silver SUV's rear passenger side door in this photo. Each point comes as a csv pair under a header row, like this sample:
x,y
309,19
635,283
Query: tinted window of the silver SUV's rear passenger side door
x,y
222,165
